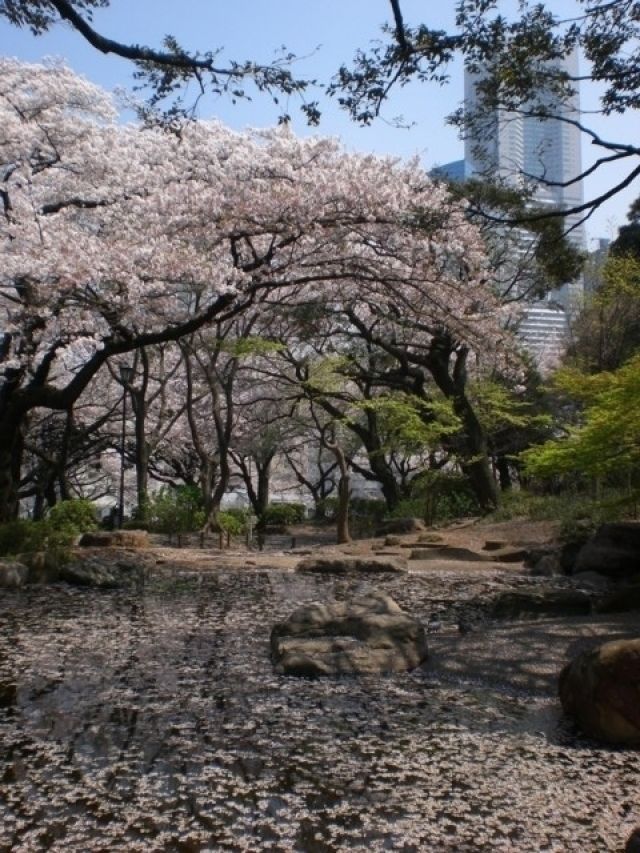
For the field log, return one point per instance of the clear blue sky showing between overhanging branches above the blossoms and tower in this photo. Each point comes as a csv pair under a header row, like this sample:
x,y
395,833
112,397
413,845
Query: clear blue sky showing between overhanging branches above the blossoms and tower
x,y
324,34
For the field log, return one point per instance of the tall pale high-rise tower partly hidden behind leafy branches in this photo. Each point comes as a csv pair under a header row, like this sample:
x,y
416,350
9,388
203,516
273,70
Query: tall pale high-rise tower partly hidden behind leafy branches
x,y
515,148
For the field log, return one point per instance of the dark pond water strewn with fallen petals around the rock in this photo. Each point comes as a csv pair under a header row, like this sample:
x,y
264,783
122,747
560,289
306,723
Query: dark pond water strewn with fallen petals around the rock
x,y
152,721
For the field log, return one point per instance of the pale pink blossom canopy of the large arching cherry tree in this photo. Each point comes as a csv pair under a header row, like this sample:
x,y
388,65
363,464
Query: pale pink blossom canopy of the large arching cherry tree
x,y
117,238
